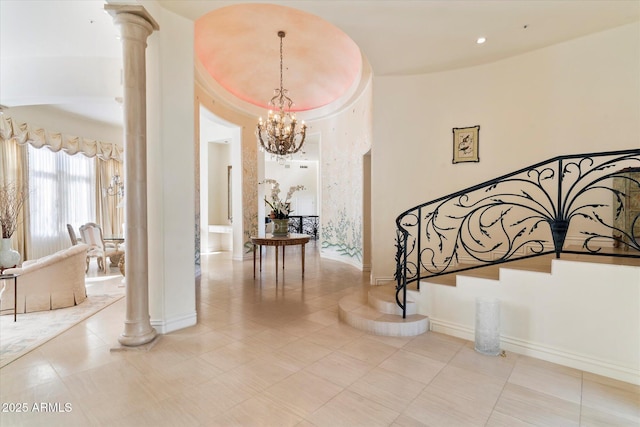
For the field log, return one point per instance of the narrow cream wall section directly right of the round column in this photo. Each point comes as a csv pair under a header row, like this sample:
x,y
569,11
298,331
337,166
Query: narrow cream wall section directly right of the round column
x,y
171,172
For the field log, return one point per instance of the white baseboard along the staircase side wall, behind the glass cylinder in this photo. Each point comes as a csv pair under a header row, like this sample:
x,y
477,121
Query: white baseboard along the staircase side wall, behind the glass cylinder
x,y
550,354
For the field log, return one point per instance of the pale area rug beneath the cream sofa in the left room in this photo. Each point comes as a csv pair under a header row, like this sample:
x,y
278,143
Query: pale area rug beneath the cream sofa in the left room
x,y
34,329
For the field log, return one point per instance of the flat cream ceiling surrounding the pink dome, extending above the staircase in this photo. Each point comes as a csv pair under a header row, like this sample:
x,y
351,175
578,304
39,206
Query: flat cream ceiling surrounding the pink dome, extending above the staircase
x,y
422,36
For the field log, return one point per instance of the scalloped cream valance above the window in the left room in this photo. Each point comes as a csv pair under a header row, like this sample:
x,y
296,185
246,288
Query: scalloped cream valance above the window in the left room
x,y
25,133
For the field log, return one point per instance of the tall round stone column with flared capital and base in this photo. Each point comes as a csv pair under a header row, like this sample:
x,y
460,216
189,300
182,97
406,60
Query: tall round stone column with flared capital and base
x,y
135,27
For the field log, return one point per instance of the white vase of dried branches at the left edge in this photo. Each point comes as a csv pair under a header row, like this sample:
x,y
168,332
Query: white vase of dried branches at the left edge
x,y
12,200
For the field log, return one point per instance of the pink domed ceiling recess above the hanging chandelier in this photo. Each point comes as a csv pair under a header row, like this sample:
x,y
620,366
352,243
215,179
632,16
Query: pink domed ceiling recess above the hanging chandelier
x,y
239,47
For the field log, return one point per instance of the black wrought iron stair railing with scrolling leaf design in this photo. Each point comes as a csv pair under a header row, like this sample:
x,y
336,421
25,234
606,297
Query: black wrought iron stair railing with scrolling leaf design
x,y
585,204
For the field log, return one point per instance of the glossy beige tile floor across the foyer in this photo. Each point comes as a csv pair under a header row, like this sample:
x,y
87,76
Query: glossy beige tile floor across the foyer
x,y
267,354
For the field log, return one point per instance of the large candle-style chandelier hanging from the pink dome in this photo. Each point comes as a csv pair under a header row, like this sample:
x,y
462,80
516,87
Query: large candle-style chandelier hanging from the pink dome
x,y
279,134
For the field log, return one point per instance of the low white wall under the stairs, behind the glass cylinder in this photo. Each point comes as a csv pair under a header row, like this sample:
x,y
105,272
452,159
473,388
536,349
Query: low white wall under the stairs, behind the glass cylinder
x,y
569,316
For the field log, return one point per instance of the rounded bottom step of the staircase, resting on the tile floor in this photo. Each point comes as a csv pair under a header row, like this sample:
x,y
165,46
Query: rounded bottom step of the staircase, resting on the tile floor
x,y
357,312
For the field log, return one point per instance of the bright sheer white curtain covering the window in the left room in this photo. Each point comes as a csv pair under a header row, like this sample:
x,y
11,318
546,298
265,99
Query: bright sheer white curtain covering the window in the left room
x,y
62,191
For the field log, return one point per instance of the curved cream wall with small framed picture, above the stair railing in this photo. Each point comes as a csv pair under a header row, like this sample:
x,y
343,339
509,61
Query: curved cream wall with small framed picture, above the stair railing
x,y
577,97
